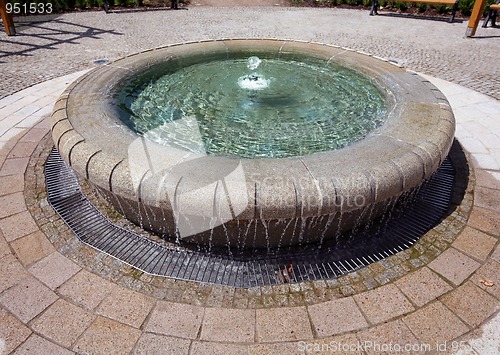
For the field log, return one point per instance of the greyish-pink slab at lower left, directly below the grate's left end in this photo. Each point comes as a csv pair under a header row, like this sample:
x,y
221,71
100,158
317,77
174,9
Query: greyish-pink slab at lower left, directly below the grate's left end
x,y
54,270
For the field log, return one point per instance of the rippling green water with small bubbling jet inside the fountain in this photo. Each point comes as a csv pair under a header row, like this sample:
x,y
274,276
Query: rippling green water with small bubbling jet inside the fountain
x,y
255,107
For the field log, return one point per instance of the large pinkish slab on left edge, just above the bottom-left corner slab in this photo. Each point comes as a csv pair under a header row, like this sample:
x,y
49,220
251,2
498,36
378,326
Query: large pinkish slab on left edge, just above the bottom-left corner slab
x,y
27,299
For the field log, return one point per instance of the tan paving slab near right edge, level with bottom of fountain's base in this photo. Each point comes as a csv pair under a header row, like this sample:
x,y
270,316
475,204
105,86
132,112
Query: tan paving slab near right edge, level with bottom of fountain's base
x,y
475,243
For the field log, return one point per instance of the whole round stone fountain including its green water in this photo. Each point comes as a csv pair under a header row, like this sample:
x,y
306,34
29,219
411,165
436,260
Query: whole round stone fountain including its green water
x,y
298,168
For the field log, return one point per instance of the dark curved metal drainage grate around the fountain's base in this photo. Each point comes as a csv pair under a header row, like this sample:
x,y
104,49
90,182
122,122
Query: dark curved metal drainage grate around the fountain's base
x,y
400,232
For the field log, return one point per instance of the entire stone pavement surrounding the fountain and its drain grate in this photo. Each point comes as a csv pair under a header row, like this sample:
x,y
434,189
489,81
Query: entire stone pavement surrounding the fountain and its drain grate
x,y
59,296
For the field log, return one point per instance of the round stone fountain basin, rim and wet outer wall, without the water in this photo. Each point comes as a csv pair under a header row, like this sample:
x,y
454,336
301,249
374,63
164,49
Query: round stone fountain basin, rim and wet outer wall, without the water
x,y
252,203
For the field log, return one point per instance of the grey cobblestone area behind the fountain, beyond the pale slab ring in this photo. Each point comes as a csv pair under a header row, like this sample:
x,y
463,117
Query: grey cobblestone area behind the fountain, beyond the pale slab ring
x,y
66,43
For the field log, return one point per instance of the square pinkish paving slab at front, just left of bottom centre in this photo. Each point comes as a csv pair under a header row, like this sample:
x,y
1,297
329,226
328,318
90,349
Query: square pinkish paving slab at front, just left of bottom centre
x,y
228,325
